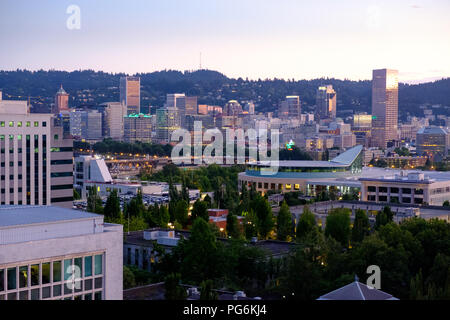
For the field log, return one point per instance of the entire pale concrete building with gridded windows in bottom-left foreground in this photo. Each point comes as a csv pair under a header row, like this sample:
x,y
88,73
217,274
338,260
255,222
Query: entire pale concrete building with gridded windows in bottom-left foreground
x,y
51,253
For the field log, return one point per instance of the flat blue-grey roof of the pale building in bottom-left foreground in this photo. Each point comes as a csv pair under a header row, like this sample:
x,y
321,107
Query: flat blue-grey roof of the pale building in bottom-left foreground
x,y
26,215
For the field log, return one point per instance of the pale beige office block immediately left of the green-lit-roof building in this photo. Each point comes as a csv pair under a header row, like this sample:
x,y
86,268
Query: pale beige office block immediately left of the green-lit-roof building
x,y
113,114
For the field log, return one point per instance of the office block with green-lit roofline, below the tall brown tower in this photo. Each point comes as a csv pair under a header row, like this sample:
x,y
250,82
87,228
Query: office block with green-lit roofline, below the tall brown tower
x,y
138,127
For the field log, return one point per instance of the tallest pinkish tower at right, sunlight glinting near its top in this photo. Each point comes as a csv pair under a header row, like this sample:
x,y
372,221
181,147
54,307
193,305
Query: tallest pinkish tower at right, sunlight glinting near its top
x,y
384,107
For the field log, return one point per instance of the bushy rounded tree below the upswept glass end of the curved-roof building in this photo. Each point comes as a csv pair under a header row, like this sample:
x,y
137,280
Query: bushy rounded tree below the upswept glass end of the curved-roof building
x,y
338,225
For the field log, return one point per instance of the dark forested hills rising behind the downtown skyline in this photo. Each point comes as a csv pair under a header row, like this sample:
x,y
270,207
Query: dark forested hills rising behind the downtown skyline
x,y
212,88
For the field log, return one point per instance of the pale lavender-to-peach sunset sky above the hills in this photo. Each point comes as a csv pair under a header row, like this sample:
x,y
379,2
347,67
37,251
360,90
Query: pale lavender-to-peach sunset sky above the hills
x,y
240,38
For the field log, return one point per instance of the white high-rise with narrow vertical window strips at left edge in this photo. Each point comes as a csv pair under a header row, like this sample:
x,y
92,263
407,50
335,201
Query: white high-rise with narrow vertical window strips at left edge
x,y
36,159
